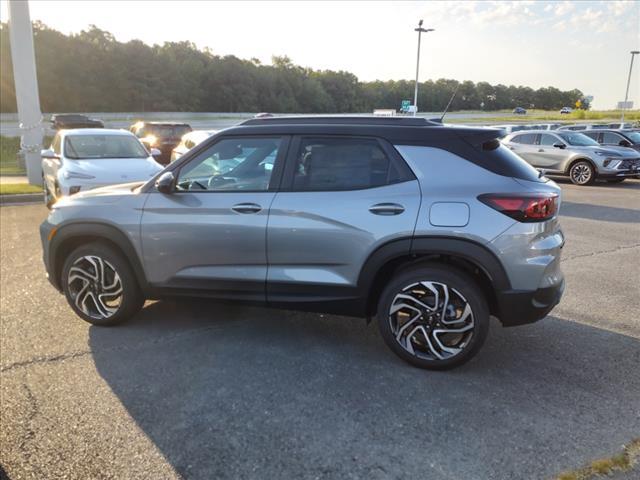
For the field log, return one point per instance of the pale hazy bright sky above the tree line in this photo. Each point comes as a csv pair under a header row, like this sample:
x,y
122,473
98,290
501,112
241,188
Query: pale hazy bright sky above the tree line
x,y
566,44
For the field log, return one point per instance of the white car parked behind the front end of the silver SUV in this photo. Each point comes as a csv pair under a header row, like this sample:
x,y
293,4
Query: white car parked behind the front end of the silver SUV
x,y
84,159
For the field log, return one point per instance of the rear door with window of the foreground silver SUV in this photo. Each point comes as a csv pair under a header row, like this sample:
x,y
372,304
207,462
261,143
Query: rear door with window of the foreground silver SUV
x,y
341,198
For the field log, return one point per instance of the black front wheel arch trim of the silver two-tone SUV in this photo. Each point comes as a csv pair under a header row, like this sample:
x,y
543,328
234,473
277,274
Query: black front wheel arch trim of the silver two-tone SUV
x,y
99,231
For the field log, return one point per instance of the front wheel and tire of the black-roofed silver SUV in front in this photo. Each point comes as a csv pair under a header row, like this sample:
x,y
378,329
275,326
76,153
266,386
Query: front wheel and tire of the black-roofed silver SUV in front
x,y
100,285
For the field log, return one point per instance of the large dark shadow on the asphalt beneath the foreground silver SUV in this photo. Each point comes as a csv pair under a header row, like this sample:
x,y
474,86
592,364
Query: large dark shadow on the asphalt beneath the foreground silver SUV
x,y
237,392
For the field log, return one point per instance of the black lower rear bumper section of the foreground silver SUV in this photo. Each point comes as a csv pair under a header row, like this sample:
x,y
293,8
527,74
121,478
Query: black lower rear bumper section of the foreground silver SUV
x,y
517,307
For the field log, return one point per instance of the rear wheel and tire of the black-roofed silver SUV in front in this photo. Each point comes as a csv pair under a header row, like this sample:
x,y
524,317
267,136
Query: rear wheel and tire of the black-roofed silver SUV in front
x,y
421,346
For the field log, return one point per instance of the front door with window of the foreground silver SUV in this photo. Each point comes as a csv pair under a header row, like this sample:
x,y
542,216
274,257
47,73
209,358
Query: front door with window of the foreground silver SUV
x,y
209,235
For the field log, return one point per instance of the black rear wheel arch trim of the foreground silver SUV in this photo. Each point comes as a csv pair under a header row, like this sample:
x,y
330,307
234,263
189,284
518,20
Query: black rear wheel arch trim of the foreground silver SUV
x,y
468,256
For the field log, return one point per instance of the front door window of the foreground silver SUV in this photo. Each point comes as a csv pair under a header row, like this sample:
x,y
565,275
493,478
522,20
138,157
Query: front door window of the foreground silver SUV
x,y
232,164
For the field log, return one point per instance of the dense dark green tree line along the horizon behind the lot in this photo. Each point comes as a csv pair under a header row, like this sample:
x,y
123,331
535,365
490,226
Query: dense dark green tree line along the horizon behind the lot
x,y
92,72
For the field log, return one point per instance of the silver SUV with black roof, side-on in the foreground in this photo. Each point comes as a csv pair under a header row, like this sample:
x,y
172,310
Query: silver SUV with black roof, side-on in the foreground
x,y
430,229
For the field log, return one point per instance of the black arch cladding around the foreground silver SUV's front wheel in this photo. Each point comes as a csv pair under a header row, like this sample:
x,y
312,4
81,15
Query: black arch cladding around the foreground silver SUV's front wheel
x,y
71,236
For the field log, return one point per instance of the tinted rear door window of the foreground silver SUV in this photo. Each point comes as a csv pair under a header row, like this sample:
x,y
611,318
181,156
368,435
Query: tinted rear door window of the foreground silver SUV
x,y
342,164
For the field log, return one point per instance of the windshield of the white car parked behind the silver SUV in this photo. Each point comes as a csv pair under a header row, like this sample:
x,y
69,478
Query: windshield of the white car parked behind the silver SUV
x,y
103,146
